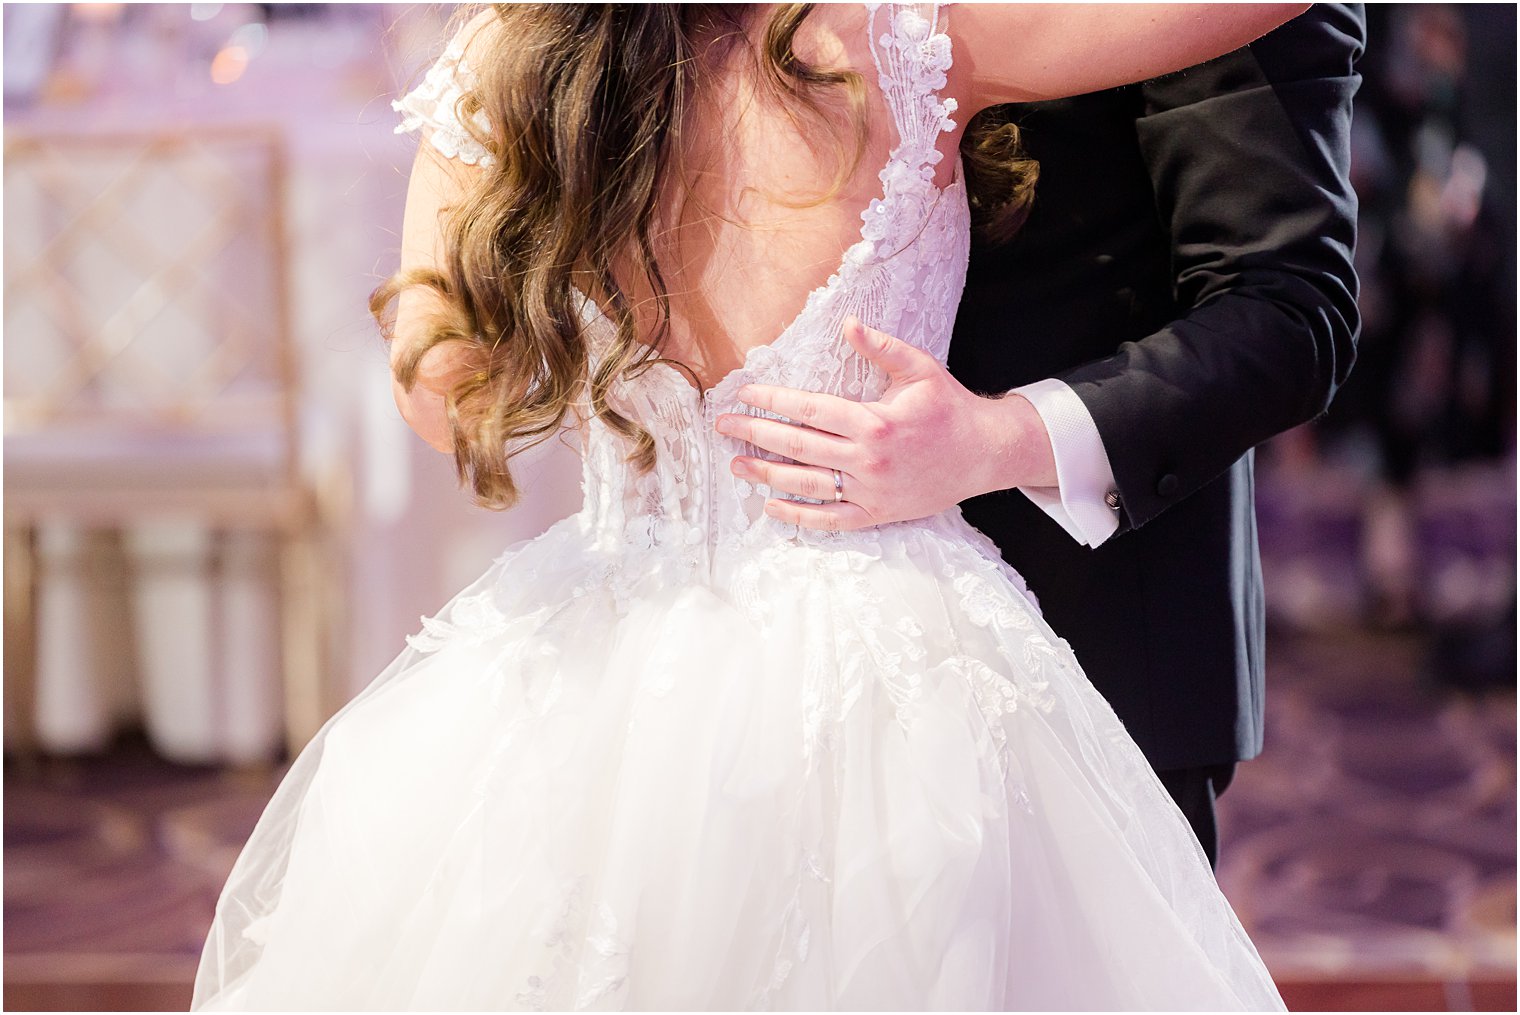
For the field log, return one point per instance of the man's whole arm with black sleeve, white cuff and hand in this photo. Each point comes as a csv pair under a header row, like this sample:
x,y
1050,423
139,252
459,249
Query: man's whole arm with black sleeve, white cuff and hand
x,y
1249,159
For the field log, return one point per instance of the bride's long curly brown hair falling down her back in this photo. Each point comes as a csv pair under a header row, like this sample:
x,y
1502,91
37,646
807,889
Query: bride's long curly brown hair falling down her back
x,y
586,104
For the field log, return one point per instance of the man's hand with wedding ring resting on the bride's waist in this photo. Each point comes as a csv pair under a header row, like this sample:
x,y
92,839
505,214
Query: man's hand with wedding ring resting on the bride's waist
x,y
923,447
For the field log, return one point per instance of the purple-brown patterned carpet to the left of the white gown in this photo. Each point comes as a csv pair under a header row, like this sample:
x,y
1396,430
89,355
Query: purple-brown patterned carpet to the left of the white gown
x,y
112,870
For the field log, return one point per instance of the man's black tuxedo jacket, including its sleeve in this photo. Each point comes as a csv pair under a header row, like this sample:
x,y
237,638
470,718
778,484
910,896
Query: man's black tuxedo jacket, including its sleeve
x,y
1186,270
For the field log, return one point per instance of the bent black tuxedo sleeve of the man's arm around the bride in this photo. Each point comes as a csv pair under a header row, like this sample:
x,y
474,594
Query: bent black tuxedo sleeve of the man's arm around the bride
x,y
1250,163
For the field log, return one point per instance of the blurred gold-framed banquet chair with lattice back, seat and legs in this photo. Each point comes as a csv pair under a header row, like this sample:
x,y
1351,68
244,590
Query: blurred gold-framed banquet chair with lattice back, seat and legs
x,y
151,373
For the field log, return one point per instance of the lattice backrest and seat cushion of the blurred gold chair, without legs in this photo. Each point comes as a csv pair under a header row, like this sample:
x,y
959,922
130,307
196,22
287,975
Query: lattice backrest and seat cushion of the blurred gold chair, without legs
x,y
147,303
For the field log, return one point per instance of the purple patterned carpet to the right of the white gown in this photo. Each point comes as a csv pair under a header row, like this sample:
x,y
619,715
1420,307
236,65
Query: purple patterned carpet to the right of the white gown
x,y
1376,835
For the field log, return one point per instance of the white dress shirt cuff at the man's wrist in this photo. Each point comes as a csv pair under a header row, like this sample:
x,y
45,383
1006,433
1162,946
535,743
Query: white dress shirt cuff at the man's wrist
x,y
1085,478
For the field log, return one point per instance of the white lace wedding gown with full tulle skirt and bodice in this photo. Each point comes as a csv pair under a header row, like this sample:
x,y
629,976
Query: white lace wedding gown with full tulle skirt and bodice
x,y
674,754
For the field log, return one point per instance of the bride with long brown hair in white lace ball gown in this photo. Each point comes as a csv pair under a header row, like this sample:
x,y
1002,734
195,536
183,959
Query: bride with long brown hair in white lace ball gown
x,y
674,753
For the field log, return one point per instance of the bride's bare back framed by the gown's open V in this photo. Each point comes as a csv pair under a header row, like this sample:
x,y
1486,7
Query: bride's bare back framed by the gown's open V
x,y
768,195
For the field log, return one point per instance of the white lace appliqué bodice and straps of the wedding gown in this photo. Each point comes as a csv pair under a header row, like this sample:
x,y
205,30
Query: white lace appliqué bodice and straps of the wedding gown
x,y
904,277
